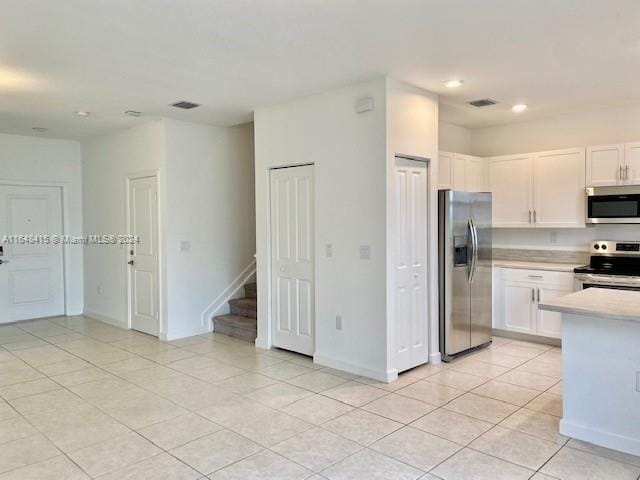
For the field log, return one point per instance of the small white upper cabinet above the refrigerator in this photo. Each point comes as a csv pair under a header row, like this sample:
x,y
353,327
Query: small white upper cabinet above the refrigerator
x,y
461,172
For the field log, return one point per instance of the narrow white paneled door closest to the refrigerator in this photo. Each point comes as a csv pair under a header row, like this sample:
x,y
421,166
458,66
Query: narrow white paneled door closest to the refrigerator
x,y
410,263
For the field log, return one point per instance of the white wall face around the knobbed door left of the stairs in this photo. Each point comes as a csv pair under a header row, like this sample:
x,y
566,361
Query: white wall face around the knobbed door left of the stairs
x,y
106,161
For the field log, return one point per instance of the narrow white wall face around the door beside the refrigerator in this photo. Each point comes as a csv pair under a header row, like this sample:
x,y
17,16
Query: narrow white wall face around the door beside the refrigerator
x,y
412,129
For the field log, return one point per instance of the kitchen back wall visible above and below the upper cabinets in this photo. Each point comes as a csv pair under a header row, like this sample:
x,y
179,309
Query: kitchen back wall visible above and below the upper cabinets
x,y
602,126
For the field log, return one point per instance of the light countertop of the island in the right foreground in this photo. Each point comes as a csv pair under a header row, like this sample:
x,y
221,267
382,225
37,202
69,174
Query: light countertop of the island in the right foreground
x,y
598,302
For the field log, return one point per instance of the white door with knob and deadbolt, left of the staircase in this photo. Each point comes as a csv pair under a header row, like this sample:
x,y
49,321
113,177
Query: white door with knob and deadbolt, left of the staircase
x,y
143,256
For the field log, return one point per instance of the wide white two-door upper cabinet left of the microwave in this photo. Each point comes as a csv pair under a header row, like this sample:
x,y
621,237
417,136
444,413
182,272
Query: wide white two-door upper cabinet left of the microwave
x,y
543,190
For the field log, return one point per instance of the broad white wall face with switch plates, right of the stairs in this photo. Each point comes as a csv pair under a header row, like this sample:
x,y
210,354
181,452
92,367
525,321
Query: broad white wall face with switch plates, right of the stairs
x,y
348,151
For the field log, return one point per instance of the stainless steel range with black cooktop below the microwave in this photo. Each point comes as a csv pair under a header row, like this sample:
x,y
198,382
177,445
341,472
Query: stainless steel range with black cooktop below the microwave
x,y
613,265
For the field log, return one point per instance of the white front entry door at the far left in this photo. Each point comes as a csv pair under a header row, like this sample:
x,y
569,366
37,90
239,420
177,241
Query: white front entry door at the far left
x,y
31,274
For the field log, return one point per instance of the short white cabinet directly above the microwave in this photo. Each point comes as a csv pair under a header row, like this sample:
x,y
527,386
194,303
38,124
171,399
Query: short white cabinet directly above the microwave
x,y
617,164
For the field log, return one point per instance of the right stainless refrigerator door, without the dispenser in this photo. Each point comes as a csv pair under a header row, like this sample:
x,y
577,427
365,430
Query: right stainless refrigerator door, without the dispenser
x,y
481,294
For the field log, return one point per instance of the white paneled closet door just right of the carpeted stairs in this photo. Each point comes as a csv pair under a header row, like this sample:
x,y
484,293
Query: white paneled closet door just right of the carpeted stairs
x,y
292,259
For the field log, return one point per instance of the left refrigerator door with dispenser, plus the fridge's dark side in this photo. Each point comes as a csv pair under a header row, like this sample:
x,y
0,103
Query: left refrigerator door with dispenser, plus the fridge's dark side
x,y
455,260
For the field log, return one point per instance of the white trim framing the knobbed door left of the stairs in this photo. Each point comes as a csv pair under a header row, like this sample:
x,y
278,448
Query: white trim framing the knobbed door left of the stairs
x,y
160,314
